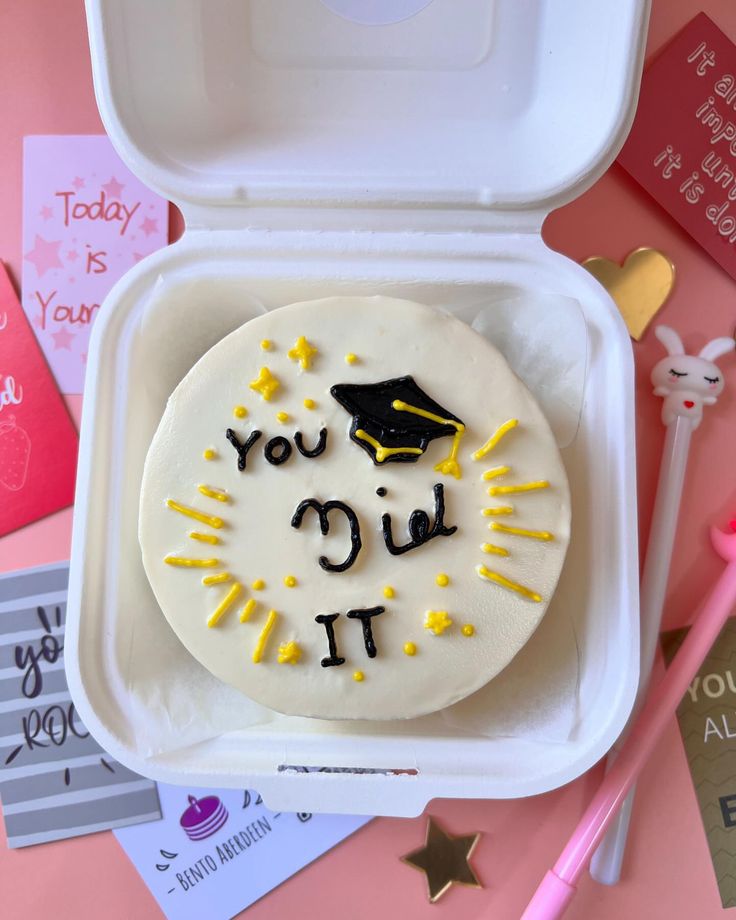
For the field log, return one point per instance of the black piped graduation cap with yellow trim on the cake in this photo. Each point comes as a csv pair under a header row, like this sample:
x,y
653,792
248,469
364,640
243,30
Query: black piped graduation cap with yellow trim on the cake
x,y
394,420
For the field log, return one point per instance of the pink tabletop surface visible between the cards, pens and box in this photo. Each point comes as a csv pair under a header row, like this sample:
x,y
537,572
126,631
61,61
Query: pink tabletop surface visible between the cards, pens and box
x,y
45,76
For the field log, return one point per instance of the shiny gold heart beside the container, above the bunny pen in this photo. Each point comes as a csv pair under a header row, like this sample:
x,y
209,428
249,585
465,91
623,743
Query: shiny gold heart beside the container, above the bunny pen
x,y
640,287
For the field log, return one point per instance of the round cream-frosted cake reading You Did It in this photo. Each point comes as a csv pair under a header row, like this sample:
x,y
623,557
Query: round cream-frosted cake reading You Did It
x,y
353,509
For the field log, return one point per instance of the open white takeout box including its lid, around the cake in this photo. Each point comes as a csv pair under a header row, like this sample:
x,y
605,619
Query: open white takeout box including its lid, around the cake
x,y
317,148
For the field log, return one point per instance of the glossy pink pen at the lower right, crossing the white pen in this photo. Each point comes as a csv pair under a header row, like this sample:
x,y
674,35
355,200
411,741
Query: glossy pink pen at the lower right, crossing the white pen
x,y
557,889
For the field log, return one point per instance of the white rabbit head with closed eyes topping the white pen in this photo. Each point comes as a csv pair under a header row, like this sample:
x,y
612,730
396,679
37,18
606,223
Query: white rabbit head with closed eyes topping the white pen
x,y
696,374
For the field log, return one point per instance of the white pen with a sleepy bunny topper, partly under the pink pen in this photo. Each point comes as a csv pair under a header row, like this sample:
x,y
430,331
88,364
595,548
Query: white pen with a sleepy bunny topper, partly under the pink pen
x,y
687,383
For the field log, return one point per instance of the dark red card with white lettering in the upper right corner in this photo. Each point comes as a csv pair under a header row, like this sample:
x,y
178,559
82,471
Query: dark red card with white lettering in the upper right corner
x,y
682,147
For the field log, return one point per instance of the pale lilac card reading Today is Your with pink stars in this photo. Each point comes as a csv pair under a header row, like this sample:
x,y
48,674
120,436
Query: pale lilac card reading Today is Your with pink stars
x,y
86,221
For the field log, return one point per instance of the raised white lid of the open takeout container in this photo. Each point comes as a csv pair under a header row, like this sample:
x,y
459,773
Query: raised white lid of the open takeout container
x,y
473,104
